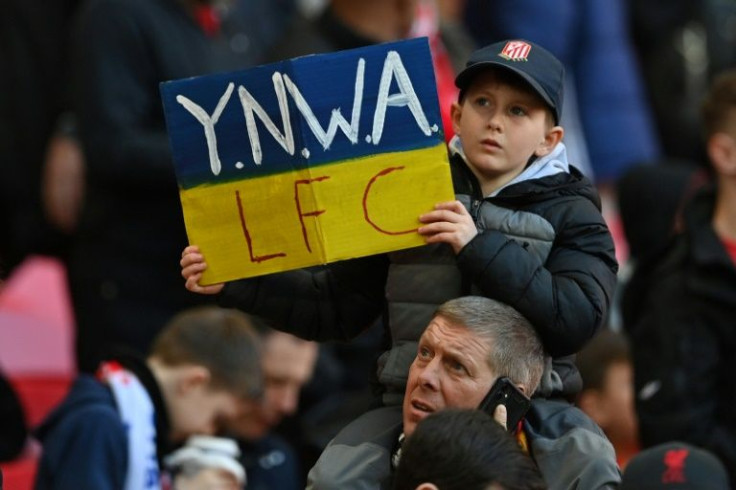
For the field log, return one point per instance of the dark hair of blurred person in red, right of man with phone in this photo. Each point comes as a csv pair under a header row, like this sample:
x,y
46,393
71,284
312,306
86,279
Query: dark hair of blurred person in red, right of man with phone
x,y
605,349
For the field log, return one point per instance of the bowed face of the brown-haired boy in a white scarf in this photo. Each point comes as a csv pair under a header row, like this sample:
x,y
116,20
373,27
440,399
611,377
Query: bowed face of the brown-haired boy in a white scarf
x,y
200,410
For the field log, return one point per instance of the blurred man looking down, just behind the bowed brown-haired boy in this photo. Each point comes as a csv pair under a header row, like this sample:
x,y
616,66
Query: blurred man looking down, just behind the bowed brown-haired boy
x,y
287,363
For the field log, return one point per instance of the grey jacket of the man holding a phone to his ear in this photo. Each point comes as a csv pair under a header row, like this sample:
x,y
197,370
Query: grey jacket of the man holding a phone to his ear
x,y
570,450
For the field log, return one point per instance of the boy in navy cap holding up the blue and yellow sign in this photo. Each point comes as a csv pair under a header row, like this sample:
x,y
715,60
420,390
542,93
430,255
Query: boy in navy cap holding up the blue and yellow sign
x,y
526,230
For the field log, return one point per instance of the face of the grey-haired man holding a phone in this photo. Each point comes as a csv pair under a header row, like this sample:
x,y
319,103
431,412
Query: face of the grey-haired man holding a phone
x,y
450,371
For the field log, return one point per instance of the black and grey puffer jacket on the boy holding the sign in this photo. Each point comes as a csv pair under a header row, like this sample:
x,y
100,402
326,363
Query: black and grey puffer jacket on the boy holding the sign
x,y
553,261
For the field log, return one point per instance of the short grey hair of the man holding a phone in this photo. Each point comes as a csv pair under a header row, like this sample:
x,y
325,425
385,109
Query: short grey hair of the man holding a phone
x,y
515,348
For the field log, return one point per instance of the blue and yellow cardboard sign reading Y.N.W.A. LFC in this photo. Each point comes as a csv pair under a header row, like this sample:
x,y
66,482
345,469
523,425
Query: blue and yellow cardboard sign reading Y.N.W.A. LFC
x,y
310,160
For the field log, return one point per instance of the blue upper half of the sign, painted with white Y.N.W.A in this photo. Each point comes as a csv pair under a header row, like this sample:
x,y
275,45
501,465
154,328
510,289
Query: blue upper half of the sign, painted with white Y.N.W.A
x,y
316,84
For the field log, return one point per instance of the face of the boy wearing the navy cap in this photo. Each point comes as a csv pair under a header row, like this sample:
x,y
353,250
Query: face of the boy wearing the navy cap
x,y
501,126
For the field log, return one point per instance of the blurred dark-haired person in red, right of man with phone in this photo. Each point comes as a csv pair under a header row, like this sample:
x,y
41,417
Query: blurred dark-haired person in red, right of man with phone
x,y
608,391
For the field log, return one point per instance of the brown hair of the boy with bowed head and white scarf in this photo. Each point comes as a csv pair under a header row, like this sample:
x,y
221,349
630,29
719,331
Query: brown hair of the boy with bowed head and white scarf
x,y
222,340
